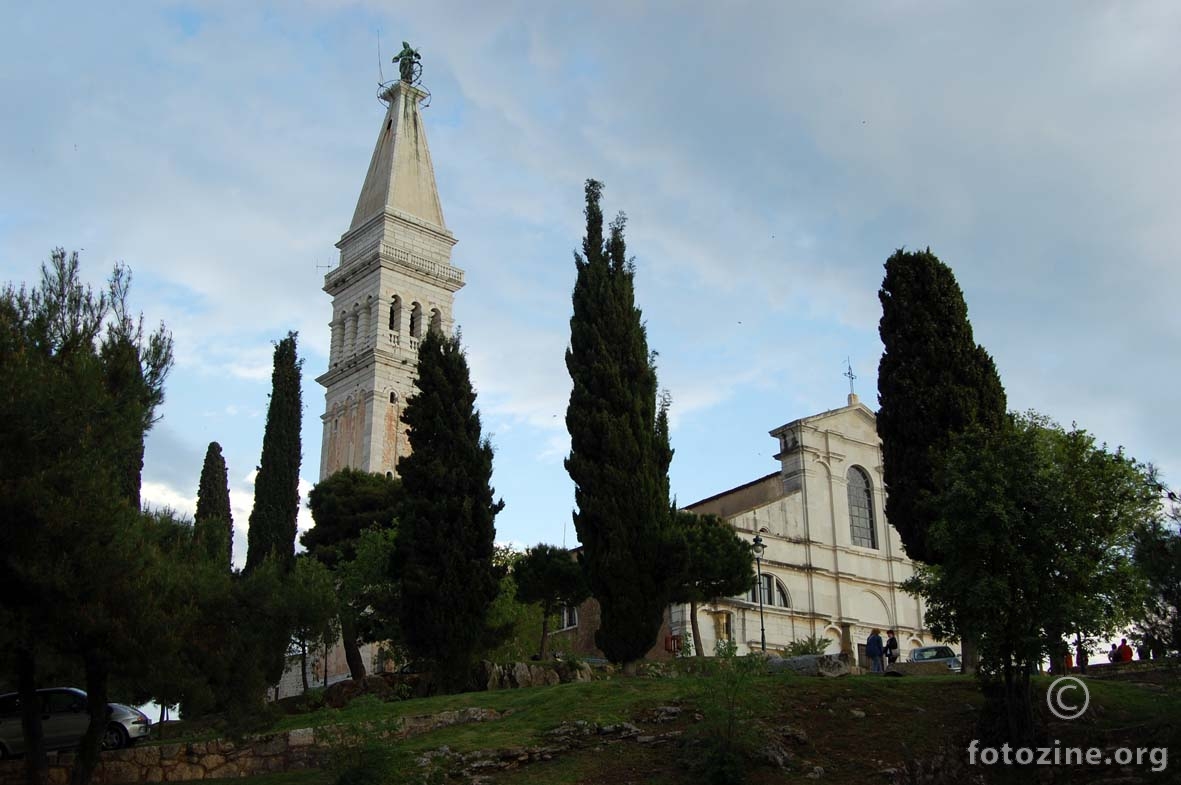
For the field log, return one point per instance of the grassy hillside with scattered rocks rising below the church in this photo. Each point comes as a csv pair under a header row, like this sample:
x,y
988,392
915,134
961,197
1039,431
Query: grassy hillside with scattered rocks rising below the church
x,y
661,730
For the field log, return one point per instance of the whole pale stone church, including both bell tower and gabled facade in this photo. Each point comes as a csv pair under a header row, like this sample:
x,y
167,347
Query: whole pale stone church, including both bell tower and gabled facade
x,y
832,566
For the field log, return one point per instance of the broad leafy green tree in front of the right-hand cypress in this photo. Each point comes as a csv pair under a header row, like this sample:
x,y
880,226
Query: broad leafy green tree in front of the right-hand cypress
x,y
1036,529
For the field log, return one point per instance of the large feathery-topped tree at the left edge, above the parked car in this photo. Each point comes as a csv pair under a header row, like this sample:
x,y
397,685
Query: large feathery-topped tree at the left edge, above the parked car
x,y
80,385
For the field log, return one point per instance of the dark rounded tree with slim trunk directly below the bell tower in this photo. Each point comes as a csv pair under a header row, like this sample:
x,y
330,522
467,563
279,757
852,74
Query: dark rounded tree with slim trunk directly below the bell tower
x,y
344,506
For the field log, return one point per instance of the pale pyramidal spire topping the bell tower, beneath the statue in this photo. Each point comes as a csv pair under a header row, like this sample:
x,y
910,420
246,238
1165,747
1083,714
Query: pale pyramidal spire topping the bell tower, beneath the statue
x,y
401,179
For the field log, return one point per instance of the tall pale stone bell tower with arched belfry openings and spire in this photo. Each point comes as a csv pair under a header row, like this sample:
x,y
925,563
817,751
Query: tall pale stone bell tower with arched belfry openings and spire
x,y
395,282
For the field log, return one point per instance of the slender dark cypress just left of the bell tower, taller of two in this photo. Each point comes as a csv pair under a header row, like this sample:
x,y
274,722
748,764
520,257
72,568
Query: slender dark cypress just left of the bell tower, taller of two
x,y
272,531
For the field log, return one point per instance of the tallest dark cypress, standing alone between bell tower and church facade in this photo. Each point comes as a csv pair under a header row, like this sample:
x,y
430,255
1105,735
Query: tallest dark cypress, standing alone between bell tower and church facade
x,y
619,446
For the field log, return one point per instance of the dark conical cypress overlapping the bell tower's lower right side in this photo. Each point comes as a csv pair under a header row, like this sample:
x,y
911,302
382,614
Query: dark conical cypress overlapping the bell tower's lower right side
x,y
446,541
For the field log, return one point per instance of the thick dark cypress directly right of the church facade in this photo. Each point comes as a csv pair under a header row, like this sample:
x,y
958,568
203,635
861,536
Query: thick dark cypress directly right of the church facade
x,y
934,382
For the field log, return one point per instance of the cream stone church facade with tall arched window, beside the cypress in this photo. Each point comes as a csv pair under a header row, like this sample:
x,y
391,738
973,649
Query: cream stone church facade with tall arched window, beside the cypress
x,y
832,565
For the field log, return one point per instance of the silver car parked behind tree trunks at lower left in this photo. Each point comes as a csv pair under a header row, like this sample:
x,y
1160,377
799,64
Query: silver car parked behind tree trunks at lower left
x,y
64,721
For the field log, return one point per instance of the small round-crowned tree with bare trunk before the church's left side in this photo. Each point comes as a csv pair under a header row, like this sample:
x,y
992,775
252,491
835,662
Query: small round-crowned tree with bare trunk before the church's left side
x,y
719,565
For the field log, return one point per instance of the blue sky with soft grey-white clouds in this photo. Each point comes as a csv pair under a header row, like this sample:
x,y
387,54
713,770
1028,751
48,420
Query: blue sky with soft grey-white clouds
x,y
769,158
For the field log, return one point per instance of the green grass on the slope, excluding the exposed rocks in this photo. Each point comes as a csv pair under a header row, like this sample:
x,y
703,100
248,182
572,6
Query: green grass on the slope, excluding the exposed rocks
x,y
852,728
